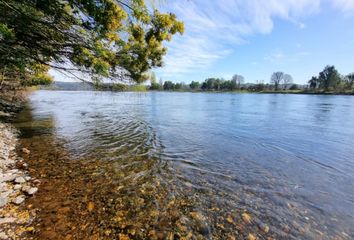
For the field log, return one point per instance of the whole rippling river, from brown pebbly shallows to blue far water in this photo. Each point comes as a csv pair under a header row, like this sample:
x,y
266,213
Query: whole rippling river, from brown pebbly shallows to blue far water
x,y
199,166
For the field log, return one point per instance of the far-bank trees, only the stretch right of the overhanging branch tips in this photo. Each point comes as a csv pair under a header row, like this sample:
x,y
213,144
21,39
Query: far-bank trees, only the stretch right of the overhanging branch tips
x,y
329,80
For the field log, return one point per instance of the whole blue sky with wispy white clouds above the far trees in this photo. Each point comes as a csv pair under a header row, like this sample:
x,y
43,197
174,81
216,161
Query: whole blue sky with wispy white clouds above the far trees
x,y
257,37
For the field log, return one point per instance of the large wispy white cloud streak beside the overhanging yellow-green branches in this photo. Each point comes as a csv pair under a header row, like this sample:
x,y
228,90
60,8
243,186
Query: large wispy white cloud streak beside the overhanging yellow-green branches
x,y
213,28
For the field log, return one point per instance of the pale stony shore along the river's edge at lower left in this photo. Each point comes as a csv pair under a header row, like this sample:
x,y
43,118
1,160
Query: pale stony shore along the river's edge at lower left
x,y
15,187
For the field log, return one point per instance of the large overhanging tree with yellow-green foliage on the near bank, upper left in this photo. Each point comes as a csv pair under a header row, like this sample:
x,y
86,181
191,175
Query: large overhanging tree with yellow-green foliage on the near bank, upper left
x,y
103,38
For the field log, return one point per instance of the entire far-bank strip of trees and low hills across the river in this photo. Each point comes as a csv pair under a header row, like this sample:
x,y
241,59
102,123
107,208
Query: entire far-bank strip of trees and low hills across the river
x,y
328,81
